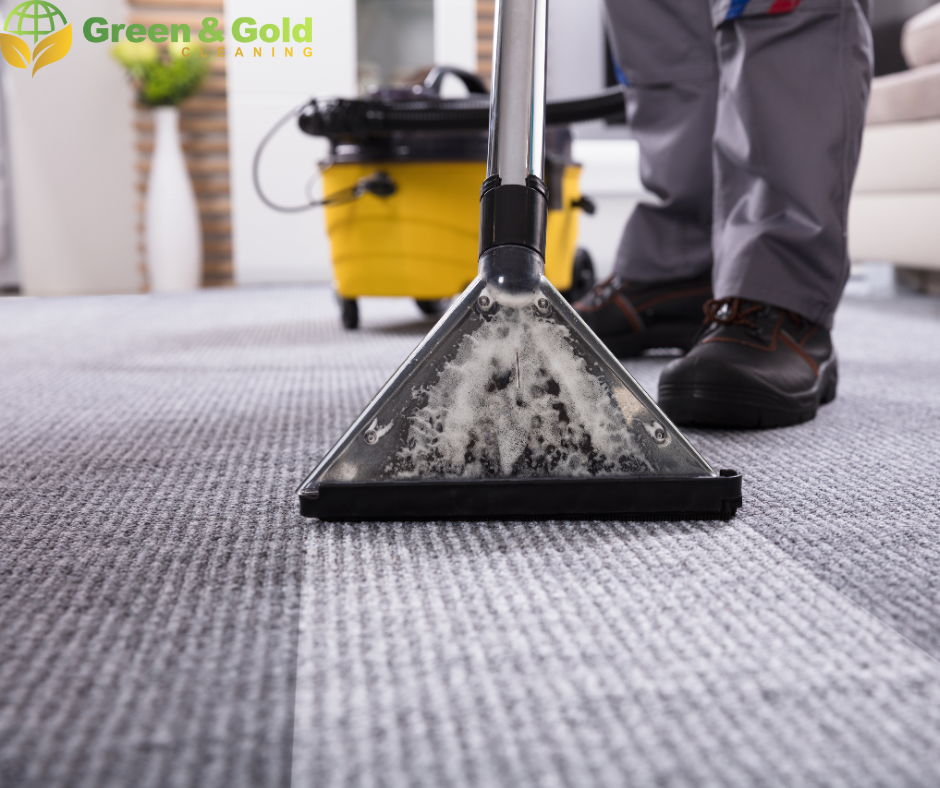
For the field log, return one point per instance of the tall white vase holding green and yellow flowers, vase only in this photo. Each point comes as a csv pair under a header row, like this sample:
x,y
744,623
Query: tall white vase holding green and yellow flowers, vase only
x,y
172,235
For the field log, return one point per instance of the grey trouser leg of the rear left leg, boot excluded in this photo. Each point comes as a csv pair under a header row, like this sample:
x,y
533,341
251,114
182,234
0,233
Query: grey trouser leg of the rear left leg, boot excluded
x,y
666,51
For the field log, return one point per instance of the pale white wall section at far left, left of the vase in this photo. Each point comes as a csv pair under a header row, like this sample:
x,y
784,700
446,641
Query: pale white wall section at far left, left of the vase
x,y
71,146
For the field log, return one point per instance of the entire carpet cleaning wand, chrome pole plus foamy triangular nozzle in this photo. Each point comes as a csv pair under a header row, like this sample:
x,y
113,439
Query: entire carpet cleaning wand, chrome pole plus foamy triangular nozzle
x,y
511,407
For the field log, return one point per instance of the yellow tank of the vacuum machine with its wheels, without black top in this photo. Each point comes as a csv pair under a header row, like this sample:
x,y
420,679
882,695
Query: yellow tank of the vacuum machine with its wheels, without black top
x,y
420,240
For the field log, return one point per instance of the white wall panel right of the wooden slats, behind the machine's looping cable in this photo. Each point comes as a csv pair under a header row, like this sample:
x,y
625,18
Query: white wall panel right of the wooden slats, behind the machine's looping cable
x,y
269,246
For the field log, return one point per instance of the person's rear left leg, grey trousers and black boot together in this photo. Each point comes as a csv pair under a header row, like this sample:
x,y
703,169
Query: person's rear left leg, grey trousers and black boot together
x,y
666,51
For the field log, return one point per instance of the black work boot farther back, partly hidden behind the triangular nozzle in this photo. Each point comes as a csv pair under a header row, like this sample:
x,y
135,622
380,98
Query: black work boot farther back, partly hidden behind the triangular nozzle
x,y
631,317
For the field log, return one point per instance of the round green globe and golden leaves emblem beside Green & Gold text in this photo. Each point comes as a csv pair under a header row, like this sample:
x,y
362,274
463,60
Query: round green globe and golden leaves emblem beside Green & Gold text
x,y
38,23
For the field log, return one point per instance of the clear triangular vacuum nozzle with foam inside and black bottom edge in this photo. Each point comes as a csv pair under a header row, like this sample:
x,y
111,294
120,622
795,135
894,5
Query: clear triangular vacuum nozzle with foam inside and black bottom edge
x,y
514,411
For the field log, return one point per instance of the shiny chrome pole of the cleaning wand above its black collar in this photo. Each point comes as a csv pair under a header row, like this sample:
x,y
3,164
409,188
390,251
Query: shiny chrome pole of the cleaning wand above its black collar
x,y
517,106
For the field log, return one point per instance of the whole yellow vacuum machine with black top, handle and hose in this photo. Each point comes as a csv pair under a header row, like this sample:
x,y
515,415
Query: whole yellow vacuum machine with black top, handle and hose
x,y
402,191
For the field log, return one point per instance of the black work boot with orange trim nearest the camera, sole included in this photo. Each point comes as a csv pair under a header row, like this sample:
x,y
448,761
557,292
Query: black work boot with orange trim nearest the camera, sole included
x,y
753,366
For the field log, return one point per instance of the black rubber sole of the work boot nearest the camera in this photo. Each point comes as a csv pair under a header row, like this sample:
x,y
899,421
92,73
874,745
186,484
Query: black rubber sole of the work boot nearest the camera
x,y
738,408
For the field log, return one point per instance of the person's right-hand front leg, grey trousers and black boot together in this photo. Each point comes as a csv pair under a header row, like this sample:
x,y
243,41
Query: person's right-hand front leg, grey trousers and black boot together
x,y
791,110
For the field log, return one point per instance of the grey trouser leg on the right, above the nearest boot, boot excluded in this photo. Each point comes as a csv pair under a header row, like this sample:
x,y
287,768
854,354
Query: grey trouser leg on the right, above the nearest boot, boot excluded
x,y
791,109
